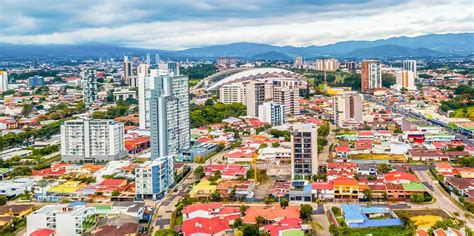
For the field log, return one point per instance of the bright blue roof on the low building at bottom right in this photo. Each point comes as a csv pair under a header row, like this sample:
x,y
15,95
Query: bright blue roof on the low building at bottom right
x,y
355,212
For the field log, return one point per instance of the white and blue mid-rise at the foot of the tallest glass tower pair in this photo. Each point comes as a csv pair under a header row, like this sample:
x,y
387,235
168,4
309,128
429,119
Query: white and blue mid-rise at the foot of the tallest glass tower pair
x,y
154,178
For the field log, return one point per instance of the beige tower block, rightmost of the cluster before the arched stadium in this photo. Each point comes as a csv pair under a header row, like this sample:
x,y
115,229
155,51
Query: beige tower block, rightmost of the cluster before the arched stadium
x,y
289,98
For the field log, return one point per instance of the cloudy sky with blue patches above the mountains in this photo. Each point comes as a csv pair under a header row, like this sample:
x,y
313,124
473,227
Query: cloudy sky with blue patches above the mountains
x,y
178,24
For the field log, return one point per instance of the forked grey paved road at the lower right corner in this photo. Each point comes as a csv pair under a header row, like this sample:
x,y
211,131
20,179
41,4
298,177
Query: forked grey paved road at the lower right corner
x,y
442,199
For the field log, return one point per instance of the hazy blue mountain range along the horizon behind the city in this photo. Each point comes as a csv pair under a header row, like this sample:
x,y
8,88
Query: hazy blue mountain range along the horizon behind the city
x,y
431,45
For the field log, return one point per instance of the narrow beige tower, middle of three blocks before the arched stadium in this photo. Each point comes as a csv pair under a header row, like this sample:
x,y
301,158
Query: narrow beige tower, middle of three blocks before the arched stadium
x,y
255,96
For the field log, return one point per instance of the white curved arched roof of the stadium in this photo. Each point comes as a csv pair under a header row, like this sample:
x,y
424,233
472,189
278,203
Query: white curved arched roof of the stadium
x,y
255,73
